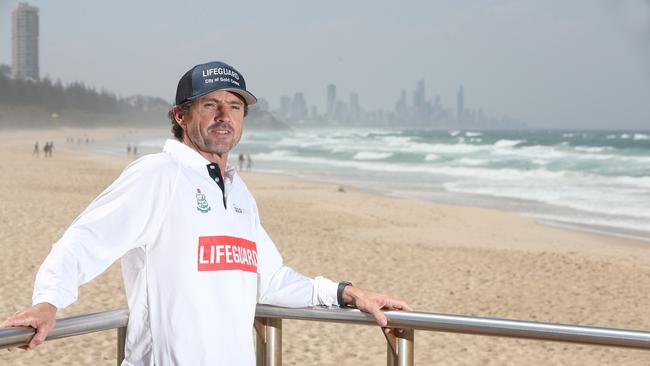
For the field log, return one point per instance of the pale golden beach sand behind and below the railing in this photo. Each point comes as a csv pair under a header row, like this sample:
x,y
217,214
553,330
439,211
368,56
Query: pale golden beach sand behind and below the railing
x,y
443,259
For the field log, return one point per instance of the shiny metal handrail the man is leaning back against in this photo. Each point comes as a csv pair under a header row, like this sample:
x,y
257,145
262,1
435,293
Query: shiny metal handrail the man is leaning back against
x,y
95,322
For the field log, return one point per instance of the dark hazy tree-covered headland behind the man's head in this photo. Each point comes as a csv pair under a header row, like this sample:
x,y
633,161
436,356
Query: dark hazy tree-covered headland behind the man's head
x,y
37,104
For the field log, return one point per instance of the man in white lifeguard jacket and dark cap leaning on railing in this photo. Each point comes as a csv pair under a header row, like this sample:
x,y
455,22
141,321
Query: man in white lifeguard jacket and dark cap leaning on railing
x,y
195,258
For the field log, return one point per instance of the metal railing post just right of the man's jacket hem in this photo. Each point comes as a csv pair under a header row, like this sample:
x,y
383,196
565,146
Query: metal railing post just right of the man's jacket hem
x,y
268,346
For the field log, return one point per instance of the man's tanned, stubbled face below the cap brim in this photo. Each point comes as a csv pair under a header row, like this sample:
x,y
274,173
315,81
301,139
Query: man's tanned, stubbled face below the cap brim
x,y
214,124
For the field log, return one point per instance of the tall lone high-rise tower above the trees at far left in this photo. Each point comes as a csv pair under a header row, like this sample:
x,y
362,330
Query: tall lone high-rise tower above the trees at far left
x,y
24,39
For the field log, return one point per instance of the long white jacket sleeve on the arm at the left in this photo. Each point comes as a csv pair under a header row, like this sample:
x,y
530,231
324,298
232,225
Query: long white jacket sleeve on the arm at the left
x,y
127,215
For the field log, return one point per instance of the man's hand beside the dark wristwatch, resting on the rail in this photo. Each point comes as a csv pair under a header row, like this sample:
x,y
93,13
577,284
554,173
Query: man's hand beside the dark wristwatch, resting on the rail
x,y
373,303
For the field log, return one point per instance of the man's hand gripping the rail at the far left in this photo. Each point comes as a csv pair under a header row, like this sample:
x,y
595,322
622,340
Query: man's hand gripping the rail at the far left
x,y
40,317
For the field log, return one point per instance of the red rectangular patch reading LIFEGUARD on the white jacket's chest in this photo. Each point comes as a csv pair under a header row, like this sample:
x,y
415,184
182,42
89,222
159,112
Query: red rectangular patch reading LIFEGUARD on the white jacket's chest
x,y
226,253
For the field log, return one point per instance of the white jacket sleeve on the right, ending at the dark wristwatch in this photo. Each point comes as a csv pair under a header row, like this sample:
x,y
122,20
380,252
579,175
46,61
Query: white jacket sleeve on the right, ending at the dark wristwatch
x,y
282,286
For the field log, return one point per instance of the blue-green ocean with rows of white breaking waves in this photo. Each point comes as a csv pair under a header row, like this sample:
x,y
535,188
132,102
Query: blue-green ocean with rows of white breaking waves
x,y
591,180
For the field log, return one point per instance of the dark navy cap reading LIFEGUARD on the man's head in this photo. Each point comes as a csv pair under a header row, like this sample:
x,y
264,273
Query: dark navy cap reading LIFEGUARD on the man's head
x,y
206,78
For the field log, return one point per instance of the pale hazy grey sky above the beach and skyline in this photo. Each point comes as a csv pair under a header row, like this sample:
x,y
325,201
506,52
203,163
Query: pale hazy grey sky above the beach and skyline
x,y
551,63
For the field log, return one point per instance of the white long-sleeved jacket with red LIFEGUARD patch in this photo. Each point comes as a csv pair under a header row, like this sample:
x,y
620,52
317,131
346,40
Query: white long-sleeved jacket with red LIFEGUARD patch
x,y
193,270
